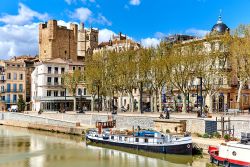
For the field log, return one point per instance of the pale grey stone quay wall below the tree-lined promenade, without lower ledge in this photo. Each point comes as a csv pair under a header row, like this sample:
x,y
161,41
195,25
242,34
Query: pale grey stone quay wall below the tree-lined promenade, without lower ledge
x,y
193,125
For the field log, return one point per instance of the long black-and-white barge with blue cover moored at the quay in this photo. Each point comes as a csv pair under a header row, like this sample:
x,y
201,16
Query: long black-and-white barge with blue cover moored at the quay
x,y
152,141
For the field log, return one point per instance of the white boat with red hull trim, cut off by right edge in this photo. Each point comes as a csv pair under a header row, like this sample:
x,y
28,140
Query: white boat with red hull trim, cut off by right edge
x,y
232,153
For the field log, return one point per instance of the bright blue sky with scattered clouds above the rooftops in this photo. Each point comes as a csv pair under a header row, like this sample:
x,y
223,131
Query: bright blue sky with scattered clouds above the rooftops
x,y
143,20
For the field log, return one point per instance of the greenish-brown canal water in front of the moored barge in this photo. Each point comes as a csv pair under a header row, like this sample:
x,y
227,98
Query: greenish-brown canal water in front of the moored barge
x,y
21,147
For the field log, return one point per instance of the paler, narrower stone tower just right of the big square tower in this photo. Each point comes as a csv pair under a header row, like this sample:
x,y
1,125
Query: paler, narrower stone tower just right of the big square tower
x,y
87,41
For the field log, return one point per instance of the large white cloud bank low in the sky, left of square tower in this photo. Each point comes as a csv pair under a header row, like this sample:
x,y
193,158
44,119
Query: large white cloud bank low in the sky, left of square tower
x,y
18,40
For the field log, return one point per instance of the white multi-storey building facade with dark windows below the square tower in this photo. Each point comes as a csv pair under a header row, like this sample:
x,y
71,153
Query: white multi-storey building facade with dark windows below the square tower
x,y
47,90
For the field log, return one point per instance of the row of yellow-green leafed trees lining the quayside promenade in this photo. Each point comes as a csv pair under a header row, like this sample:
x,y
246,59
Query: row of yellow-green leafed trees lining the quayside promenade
x,y
175,68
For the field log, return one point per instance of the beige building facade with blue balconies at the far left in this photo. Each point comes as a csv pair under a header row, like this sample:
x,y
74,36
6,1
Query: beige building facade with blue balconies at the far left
x,y
15,81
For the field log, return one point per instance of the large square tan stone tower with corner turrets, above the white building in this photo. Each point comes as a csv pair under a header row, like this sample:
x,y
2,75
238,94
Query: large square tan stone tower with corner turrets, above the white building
x,y
57,41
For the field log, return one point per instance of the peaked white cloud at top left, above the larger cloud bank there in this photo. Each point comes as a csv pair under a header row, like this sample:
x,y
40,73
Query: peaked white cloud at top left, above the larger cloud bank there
x,y
25,16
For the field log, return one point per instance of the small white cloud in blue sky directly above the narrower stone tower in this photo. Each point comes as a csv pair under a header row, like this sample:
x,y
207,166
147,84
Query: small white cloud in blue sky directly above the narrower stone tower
x,y
81,14
